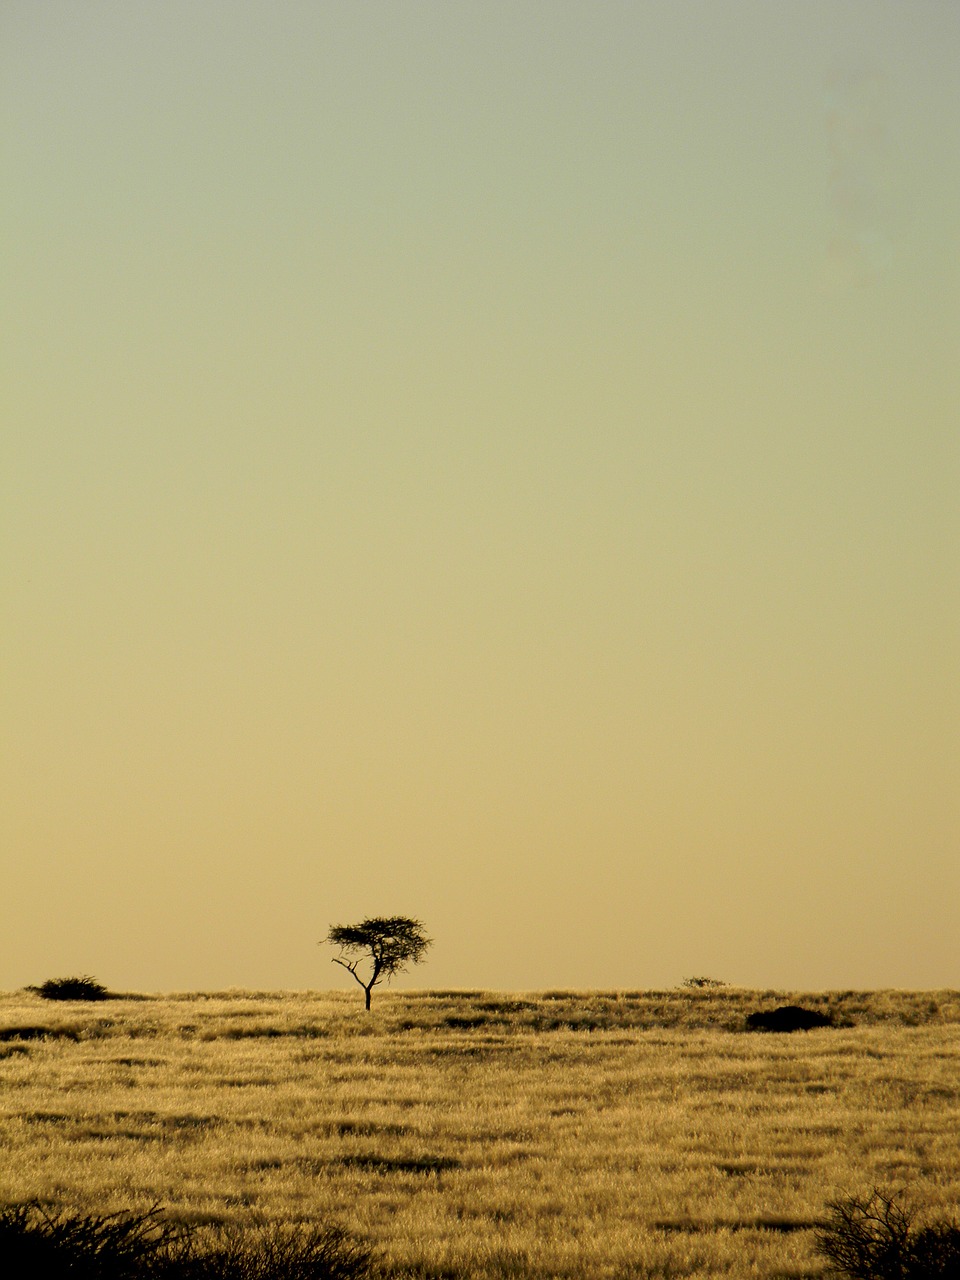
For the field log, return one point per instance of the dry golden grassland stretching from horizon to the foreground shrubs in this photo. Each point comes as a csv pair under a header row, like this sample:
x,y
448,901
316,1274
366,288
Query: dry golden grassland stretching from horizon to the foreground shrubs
x,y
577,1135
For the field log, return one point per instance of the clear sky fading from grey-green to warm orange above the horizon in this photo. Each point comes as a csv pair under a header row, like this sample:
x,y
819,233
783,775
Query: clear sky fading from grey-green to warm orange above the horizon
x,y
490,463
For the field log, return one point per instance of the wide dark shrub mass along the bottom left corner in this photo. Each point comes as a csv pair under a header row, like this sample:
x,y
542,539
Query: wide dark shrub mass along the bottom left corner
x,y
145,1247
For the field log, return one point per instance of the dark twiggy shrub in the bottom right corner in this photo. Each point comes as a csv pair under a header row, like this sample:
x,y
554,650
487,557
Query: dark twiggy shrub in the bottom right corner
x,y
879,1238
